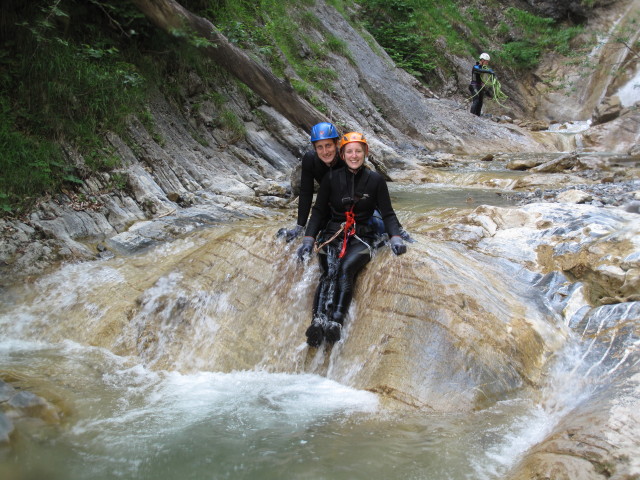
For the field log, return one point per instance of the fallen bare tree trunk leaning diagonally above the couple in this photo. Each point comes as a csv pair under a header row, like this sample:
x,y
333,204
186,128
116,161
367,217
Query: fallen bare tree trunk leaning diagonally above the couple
x,y
171,16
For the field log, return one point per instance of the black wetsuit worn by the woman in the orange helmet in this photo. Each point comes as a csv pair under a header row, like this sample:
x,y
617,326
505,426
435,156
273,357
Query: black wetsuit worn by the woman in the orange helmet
x,y
366,191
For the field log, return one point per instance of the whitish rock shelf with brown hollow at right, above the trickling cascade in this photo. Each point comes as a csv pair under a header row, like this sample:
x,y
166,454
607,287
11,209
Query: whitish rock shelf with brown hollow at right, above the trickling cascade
x,y
600,250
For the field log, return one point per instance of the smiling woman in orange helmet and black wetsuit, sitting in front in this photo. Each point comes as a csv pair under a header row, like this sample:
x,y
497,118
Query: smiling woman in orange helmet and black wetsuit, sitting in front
x,y
348,198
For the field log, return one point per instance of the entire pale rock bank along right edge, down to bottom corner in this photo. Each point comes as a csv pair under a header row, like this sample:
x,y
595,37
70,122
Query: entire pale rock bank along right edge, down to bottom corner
x,y
597,438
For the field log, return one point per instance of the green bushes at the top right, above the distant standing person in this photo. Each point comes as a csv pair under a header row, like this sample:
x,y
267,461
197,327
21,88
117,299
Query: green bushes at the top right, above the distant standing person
x,y
419,34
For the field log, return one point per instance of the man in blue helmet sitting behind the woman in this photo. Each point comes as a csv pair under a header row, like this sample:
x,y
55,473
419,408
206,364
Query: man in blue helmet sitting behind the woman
x,y
316,164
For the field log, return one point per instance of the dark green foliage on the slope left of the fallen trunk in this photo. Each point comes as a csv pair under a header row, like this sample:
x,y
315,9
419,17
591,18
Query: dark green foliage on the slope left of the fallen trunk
x,y
69,71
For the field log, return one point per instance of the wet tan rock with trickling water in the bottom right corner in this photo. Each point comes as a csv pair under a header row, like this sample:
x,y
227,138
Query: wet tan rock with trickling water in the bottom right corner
x,y
598,439
